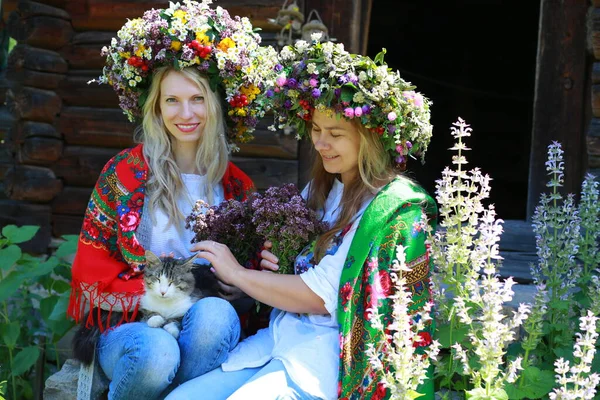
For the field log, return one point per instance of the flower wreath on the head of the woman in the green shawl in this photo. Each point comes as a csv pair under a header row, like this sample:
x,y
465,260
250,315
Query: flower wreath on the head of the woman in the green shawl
x,y
325,76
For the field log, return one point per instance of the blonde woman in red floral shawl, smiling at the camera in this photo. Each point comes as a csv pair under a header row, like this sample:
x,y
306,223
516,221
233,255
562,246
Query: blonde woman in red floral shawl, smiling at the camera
x,y
174,73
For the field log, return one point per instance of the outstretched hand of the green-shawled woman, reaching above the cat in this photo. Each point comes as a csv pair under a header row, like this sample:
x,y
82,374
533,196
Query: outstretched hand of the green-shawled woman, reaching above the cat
x,y
225,266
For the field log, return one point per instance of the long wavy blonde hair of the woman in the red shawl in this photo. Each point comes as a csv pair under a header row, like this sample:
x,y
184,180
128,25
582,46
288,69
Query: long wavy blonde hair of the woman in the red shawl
x,y
164,180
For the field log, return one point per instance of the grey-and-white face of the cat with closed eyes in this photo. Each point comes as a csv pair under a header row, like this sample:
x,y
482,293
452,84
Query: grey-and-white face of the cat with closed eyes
x,y
168,277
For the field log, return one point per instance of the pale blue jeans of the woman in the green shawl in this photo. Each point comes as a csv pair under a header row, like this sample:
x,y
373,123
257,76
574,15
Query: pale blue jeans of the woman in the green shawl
x,y
269,382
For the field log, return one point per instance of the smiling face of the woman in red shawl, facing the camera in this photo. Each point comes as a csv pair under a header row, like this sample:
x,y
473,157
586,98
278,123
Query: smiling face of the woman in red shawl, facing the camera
x,y
182,109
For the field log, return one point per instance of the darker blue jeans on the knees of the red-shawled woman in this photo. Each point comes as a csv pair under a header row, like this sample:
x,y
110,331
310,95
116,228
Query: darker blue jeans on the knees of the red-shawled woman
x,y
142,362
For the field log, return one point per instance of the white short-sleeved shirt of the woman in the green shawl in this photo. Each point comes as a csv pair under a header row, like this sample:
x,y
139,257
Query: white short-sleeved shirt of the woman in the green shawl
x,y
307,344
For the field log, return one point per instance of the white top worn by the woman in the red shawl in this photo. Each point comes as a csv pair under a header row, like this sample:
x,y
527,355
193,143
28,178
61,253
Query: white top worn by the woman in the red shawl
x,y
172,240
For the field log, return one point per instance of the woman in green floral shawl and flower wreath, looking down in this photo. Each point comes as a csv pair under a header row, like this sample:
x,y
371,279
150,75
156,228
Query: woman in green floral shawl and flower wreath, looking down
x,y
364,122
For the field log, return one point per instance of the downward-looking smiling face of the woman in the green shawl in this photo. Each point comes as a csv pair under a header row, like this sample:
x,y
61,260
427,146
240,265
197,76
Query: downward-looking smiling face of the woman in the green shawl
x,y
338,142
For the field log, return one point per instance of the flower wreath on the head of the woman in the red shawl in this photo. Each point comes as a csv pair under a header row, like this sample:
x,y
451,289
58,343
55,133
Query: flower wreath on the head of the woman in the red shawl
x,y
226,49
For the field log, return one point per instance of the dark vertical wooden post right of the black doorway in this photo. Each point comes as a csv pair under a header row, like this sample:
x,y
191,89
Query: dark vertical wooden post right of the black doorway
x,y
559,94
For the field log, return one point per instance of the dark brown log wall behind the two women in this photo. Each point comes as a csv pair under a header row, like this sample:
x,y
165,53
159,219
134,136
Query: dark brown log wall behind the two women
x,y
63,130
